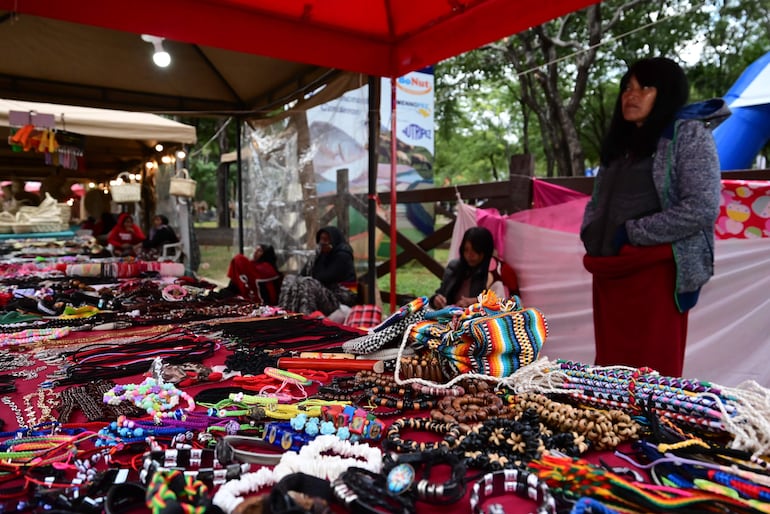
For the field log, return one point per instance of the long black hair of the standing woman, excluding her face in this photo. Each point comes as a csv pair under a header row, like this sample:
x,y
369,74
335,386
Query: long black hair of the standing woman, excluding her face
x,y
624,137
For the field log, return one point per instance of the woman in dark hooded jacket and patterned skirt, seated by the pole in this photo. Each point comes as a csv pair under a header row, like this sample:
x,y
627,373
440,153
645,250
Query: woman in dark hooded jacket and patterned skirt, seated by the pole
x,y
325,282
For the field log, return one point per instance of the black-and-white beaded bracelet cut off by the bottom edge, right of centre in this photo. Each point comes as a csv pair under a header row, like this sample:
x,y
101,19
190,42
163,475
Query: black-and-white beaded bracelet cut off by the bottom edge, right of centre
x,y
523,483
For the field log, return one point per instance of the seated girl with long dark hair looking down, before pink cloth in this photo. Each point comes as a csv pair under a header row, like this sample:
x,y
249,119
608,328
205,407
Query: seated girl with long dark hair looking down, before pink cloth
x,y
475,271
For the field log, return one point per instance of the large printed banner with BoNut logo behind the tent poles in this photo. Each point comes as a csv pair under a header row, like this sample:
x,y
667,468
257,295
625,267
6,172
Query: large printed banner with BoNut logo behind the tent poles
x,y
339,136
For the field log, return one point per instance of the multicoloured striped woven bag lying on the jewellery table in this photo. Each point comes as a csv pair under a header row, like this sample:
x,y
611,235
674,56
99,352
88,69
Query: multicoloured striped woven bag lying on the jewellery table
x,y
496,345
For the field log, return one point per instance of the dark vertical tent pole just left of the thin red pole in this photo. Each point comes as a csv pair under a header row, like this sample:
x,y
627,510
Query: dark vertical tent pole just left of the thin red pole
x,y
374,129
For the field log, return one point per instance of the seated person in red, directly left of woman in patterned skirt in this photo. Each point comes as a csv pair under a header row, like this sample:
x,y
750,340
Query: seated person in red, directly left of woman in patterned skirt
x,y
257,279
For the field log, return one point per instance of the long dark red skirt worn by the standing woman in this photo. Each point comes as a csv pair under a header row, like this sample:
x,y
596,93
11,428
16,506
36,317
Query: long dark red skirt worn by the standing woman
x,y
636,319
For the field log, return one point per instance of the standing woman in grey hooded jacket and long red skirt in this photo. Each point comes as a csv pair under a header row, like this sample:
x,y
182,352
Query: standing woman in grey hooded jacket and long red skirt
x,y
648,229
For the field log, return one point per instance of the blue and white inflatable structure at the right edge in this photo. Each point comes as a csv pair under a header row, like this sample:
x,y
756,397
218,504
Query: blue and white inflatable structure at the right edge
x,y
741,136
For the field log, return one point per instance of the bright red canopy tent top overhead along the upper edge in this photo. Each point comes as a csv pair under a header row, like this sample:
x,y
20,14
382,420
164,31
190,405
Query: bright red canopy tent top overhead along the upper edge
x,y
379,37
